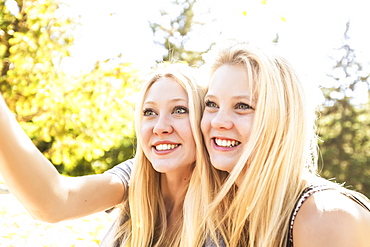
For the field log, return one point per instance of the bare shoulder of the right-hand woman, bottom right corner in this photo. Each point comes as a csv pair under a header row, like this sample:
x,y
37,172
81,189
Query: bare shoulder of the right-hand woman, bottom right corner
x,y
328,218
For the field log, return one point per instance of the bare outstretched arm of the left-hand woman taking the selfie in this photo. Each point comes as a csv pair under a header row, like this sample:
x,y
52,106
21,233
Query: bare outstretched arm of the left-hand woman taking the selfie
x,y
46,194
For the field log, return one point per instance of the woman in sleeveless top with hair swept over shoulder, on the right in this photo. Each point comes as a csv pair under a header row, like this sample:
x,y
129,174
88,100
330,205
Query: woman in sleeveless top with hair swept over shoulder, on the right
x,y
263,189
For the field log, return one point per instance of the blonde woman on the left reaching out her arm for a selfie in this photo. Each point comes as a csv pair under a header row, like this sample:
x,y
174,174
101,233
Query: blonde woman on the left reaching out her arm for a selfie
x,y
169,143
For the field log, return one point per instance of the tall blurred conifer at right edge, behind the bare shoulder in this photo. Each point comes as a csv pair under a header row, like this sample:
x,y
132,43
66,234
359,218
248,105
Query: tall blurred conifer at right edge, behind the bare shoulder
x,y
344,125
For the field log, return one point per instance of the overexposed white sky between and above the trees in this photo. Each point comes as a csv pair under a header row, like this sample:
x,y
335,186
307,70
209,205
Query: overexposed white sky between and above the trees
x,y
308,30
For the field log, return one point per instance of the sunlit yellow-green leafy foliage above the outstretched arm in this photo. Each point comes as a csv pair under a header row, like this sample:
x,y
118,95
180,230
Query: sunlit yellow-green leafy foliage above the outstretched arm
x,y
78,122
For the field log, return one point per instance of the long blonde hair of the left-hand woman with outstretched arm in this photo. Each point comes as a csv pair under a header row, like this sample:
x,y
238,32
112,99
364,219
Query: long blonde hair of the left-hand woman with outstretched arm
x,y
143,219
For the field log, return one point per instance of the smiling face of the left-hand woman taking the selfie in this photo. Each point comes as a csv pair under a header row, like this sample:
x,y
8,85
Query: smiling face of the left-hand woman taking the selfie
x,y
167,138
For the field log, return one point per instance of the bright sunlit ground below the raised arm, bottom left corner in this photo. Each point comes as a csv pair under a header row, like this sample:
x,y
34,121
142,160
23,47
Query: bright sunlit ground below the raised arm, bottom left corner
x,y
18,228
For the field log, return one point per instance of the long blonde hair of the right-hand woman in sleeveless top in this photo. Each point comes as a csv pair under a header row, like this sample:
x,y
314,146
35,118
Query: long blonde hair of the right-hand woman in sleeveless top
x,y
280,150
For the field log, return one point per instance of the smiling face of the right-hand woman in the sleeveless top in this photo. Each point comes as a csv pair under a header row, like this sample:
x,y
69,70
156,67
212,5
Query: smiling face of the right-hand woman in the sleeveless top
x,y
228,117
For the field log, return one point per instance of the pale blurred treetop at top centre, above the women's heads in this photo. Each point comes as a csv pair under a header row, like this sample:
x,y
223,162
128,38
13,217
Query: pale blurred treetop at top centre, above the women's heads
x,y
173,33
